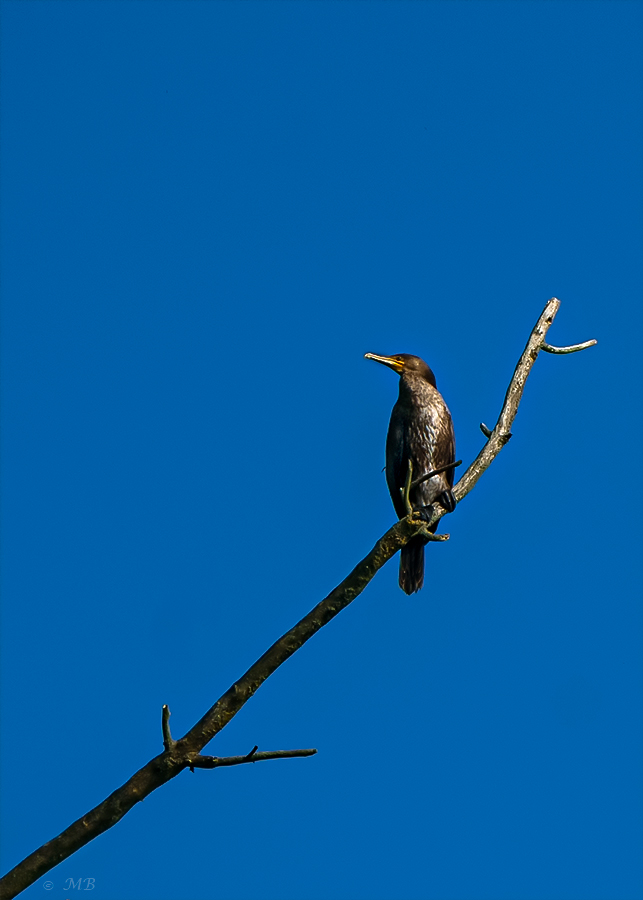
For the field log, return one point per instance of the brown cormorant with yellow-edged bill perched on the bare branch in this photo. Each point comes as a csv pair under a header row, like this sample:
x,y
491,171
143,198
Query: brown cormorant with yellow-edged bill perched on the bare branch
x,y
420,430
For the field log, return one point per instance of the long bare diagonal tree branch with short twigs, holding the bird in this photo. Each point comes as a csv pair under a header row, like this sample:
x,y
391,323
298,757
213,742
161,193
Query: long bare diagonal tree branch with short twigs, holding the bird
x,y
185,752
